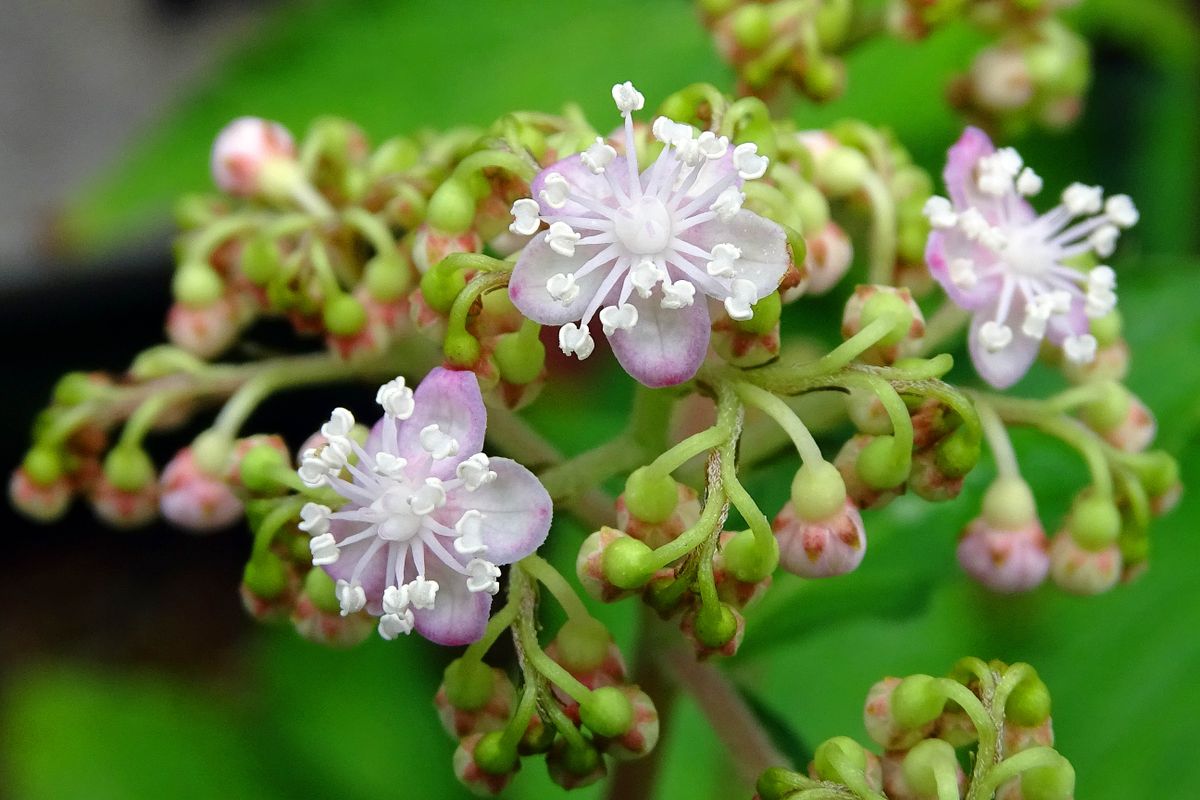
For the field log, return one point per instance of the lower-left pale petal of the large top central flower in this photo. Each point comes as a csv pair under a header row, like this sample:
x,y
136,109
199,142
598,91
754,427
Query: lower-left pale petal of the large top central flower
x,y
536,266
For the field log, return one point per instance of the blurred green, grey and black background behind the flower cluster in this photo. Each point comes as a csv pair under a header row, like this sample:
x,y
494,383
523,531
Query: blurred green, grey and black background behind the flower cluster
x,y
128,669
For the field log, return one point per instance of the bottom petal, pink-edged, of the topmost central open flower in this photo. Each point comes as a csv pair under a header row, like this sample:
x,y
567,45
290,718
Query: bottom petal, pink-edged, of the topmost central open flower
x,y
668,345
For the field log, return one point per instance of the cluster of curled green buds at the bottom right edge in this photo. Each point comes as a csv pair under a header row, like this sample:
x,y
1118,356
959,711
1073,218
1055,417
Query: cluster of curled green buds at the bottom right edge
x,y
982,732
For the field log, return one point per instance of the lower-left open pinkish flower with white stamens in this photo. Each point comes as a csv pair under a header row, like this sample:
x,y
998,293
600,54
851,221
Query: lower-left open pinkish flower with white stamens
x,y
429,519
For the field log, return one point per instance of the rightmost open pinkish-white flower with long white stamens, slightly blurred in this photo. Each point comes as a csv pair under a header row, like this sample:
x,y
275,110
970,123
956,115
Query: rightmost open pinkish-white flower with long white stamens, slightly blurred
x,y
1015,269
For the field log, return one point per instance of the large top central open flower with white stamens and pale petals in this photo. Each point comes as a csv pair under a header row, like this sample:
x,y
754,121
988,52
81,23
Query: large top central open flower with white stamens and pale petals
x,y
643,251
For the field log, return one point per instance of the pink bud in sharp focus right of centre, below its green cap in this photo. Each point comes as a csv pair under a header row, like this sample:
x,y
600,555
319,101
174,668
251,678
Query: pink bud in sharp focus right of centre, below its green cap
x,y
820,549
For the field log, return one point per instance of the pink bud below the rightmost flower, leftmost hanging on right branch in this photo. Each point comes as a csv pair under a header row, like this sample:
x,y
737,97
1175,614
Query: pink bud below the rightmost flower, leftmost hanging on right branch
x,y
1005,561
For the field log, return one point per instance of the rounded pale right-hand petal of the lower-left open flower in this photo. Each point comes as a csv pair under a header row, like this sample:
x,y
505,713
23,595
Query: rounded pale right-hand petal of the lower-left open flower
x,y
517,512
